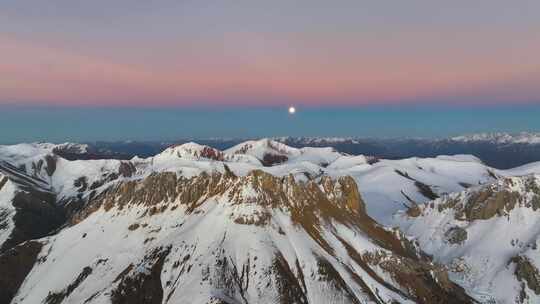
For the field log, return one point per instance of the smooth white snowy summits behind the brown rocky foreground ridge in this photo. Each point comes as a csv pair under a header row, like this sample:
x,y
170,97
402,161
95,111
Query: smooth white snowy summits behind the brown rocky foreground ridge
x,y
389,184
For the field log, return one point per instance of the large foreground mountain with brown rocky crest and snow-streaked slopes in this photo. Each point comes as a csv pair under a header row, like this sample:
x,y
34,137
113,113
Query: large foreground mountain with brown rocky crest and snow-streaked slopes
x,y
220,238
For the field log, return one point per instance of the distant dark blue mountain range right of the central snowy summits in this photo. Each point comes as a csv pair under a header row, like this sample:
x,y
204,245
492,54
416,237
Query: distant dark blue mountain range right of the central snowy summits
x,y
500,150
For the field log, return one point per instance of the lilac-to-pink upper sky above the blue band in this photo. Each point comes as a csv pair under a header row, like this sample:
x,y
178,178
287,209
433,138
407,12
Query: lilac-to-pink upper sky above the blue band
x,y
269,53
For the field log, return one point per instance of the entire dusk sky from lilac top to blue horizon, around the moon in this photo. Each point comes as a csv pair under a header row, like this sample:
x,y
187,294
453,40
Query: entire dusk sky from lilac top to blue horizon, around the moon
x,y
134,69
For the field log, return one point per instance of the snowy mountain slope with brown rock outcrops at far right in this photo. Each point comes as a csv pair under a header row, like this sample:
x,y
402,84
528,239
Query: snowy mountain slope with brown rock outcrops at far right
x,y
487,236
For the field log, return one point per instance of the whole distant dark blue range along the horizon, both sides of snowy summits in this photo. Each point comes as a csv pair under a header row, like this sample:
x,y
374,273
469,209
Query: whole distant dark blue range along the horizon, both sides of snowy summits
x,y
499,150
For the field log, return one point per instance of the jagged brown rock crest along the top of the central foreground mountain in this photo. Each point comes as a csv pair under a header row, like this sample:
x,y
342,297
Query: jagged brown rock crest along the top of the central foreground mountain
x,y
255,188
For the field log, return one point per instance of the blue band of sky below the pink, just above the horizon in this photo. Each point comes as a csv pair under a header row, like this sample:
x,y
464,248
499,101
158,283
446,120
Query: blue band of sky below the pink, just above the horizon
x,y
85,124
